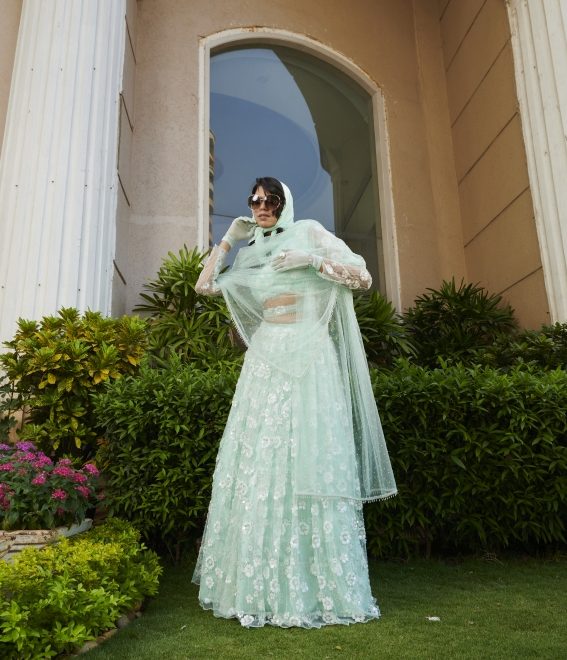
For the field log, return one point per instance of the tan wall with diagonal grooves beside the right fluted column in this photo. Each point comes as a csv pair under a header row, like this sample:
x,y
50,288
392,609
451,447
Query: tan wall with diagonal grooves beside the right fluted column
x,y
500,240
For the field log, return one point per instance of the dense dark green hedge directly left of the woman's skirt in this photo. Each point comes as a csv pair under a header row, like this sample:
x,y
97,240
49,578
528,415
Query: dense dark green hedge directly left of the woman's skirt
x,y
162,432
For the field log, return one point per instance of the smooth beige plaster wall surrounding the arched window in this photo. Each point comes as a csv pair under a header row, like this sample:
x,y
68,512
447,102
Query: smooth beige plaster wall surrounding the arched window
x,y
396,43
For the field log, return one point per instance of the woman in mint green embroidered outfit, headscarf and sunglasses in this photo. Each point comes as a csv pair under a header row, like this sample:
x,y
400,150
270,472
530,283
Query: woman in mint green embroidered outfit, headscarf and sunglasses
x,y
303,447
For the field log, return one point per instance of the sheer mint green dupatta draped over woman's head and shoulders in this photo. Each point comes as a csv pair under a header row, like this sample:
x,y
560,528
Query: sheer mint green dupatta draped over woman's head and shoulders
x,y
289,318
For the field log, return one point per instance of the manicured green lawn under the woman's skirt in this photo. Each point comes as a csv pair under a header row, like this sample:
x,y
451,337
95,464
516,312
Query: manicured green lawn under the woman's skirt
x,y
497,609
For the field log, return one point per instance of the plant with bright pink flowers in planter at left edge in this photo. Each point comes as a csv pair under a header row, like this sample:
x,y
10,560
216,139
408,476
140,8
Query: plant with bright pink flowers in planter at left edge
x,y
36,493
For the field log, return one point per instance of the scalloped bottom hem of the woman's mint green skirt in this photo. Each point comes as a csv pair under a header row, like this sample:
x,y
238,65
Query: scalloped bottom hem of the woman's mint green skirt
x,y
314,620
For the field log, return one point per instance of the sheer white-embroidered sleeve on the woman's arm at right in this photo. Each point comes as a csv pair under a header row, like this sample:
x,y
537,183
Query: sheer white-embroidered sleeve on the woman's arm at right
x,y
338,262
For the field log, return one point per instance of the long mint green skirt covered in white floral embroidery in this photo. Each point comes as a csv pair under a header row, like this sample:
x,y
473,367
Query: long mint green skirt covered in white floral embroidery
x,y
270,555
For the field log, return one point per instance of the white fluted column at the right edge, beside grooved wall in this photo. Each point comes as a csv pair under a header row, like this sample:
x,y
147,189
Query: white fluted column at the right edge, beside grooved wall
x,y
539,39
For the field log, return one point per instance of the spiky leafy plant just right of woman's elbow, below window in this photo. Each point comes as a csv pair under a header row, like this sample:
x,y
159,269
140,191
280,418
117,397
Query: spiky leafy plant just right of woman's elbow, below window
x,y
384,337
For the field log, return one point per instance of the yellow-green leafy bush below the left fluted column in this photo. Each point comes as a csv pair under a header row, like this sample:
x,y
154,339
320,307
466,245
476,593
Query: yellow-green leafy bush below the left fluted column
x,y
56,364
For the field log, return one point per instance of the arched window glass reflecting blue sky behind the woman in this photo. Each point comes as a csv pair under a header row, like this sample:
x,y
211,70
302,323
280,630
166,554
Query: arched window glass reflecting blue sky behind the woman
x,y
278,111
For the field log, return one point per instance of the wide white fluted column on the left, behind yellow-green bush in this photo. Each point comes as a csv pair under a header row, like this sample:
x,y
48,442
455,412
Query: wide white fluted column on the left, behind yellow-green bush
x,y
58,169
